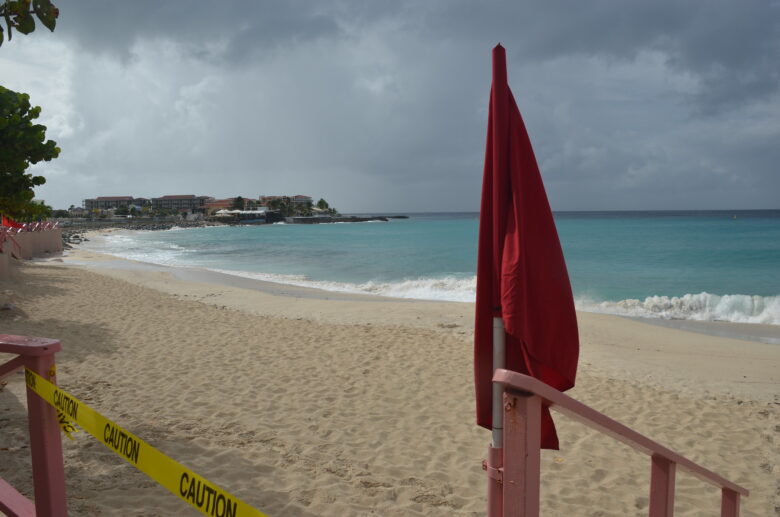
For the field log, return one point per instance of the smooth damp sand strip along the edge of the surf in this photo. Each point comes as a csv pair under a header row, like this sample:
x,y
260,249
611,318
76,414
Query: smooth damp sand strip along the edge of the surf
x,y
645,338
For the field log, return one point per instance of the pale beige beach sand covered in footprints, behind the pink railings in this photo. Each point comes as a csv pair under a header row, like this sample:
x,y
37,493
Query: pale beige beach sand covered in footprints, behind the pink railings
x,y
309,403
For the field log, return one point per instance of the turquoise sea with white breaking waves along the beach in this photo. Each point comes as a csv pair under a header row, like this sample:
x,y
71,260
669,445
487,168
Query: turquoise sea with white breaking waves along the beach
x,y
689,265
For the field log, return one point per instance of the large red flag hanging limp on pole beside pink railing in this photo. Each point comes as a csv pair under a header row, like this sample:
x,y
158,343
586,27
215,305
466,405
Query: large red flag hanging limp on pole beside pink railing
x,y
521,273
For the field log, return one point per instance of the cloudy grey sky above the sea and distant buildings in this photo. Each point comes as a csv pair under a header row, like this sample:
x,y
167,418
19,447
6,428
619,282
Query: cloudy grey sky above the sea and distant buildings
x,y
382,106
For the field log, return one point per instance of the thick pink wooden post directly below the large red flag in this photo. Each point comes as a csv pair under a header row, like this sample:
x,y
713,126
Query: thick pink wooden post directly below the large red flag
x,y
522,454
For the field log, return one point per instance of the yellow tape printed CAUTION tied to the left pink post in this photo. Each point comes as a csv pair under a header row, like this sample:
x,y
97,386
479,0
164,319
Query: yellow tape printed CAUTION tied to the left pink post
x,y
175,477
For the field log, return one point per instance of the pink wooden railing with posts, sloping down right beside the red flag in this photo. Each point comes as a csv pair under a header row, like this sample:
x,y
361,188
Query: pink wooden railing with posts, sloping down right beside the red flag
x,y
523,399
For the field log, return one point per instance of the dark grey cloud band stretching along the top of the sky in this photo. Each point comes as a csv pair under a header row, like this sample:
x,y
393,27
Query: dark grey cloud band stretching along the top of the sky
x,y
733,48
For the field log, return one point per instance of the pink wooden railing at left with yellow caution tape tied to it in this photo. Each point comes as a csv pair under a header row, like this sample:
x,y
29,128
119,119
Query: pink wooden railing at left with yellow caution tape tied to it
x,y
37,354
